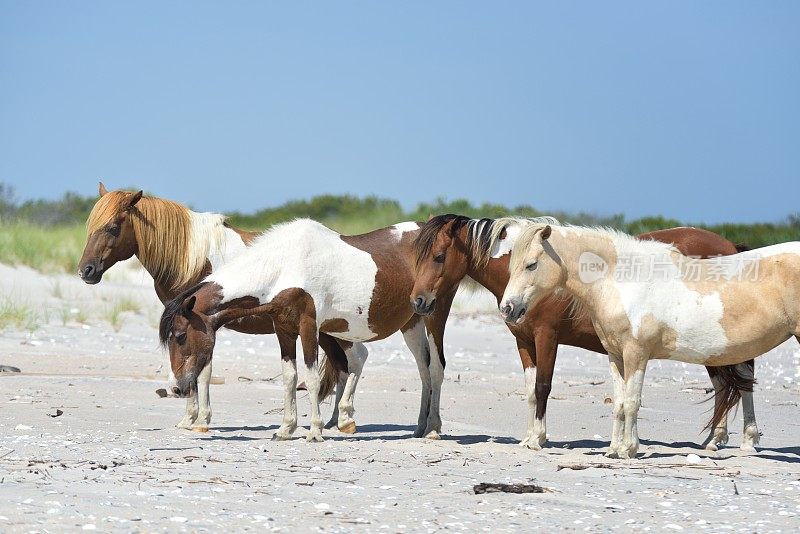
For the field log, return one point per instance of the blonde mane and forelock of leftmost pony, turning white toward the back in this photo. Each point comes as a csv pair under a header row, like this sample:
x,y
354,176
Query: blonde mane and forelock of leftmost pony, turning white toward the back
x,y
173,242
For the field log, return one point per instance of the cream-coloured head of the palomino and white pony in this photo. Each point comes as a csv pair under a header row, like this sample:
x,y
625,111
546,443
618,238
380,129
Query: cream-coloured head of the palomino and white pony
x,y
535,270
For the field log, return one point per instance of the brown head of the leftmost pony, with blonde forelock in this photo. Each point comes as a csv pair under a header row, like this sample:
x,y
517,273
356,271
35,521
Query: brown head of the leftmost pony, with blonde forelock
x,y
110,236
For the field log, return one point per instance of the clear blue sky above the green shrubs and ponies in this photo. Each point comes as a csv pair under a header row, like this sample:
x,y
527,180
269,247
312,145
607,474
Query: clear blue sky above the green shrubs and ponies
x,y
686,109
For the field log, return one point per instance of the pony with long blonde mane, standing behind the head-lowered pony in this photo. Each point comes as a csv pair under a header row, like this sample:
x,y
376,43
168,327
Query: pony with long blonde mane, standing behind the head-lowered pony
x,y
178,247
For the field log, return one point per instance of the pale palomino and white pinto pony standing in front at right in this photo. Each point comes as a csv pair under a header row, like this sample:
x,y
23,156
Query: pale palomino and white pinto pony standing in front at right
x,y
648,301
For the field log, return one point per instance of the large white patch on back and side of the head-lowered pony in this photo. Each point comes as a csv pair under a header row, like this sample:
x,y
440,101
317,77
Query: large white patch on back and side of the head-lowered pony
x,y
307,255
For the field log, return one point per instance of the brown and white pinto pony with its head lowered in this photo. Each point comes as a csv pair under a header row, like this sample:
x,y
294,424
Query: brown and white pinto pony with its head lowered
x,y
309,280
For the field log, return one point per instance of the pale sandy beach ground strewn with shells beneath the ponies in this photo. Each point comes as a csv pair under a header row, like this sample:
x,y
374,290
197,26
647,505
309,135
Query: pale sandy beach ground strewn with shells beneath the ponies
x,y
113,461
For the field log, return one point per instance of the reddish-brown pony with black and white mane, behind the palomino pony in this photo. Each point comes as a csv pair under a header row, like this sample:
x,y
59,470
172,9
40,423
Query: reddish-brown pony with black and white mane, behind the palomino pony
x,y
452,248
